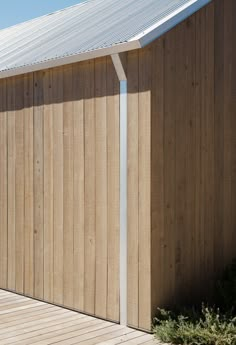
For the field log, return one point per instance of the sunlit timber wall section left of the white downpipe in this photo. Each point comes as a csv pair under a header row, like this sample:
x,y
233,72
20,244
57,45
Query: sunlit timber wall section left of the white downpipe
x,y
59,151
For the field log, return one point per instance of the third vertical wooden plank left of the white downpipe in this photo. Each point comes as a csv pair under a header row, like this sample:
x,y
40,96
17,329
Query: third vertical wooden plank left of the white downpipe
x,y
89,220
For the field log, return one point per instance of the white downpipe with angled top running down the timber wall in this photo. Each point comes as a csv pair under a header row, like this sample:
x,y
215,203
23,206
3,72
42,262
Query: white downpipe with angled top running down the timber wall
x,y
123,186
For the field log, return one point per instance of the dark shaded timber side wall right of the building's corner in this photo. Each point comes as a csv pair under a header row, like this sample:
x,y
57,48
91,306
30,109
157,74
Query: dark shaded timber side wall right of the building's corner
x,y
195,147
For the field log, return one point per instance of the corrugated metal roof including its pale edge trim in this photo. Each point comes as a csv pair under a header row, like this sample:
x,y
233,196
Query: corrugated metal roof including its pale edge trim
x,y
90,29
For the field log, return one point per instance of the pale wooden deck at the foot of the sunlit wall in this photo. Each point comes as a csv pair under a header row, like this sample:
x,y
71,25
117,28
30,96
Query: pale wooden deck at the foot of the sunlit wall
x,y
27,321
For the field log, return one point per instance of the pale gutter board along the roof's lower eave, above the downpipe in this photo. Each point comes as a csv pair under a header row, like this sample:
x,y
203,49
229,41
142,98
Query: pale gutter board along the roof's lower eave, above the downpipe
x,y
116,49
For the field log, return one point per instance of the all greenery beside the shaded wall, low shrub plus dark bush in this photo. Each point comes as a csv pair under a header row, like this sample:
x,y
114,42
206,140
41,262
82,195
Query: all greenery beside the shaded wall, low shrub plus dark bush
x,y
206,325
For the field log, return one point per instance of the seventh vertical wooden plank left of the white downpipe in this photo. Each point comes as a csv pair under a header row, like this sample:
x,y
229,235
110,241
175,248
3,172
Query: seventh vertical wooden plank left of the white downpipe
x,y
48,186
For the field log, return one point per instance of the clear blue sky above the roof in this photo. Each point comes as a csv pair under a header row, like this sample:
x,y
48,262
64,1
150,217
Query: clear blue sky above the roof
x,y
17,11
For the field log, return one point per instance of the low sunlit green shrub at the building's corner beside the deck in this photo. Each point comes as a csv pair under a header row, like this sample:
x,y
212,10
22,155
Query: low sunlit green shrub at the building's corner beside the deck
x,y
210,328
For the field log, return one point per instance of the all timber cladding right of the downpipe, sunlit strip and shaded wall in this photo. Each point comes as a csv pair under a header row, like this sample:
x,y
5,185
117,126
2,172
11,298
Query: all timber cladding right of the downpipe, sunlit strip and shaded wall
x,y
191,152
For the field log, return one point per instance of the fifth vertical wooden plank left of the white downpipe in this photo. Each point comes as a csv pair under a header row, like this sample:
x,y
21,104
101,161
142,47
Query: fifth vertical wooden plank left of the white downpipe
x,y
68,188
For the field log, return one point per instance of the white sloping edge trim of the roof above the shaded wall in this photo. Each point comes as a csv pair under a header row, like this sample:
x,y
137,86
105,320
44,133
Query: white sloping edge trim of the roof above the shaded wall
x,y
169,22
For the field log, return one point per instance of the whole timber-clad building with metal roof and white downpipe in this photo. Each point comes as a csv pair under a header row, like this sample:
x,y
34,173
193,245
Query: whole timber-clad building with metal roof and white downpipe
x,y
118,155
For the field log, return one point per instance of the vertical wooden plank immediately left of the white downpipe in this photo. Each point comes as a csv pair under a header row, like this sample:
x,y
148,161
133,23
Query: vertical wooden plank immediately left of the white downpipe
x,y
113,191
